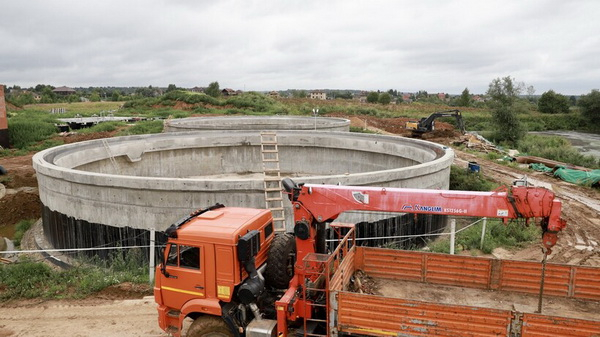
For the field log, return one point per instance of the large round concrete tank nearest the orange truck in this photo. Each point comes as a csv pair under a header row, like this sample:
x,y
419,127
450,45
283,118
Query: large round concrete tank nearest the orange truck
x,y
128,184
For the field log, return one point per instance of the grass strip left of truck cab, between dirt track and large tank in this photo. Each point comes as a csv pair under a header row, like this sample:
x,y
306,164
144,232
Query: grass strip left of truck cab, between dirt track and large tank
x,y
30,279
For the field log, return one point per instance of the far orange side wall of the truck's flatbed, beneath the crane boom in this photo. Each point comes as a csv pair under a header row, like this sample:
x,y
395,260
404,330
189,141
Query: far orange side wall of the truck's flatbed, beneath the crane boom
x,y
482,273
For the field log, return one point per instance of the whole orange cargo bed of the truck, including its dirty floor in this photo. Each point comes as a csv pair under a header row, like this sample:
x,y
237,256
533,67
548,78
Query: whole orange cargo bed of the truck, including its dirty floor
x,y
572,296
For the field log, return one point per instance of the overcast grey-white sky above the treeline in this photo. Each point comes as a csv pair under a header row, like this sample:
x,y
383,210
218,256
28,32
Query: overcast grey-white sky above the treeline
x,y
437,46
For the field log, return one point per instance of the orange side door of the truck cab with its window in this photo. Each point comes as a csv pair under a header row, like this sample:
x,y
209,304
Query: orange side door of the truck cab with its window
x,y
186,277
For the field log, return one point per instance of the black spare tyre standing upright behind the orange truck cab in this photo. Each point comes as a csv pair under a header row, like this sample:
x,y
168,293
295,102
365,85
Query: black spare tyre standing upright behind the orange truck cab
x,y
281,261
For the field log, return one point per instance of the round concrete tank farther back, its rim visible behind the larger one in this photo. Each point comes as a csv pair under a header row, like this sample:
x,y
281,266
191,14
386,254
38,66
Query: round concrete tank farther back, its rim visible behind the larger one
x,y
257,123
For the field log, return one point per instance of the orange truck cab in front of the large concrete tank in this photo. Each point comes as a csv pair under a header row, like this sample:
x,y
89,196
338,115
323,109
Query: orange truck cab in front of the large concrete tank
x,y
212,269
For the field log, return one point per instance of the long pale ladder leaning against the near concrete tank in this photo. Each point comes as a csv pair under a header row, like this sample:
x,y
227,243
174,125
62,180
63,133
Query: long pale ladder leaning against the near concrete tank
x,y
272,180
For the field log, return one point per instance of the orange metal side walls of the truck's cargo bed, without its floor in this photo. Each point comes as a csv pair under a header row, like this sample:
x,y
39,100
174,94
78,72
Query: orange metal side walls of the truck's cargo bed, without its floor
x,y
383,316
